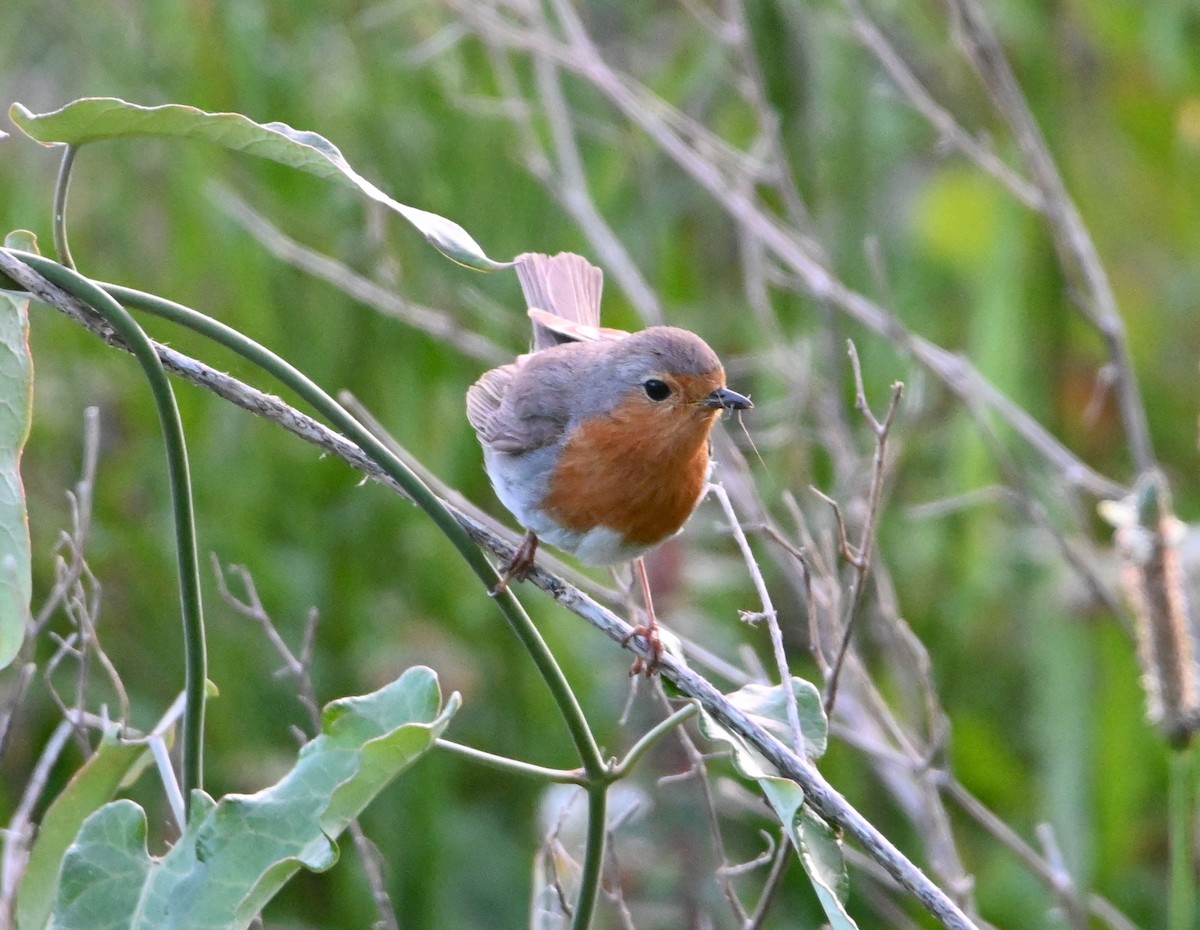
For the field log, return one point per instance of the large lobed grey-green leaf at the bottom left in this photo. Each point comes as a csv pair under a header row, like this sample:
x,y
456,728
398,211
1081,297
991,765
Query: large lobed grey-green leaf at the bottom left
x,y
238,853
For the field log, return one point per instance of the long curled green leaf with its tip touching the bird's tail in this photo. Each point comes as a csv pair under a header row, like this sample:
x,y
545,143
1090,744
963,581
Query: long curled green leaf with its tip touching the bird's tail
x,y
93,119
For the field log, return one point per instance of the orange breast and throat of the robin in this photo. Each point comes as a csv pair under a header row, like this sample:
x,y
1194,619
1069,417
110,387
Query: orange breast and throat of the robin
x,y
640,471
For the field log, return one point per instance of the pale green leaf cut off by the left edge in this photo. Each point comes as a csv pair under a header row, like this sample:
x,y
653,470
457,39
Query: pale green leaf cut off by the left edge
x,y
16,413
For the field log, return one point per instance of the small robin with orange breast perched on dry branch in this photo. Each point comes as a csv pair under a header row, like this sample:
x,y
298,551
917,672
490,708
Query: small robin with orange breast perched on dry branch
x,y
598,441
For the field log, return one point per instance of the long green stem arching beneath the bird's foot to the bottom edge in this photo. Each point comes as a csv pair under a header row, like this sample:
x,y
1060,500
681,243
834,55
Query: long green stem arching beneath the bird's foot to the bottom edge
x,y
593,764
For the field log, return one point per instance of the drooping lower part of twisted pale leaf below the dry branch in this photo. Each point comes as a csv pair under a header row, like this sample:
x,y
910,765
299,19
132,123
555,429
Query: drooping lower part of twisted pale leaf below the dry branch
x,y
819,848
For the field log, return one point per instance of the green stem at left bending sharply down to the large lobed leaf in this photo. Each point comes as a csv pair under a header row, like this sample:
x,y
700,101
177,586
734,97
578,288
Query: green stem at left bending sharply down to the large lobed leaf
x,y
195,653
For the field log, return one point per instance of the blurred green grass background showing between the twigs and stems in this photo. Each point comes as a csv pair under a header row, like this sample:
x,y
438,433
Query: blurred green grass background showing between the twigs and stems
x,y
1045,700
